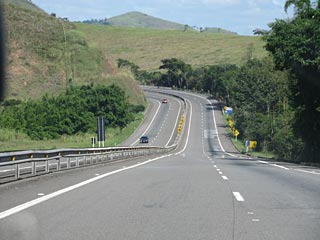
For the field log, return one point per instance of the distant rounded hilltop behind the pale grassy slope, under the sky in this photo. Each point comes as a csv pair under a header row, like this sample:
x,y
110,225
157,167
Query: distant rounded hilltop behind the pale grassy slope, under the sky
x,y
141,20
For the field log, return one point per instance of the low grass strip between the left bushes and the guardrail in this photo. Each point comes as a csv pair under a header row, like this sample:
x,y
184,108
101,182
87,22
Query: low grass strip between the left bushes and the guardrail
x,y
11,140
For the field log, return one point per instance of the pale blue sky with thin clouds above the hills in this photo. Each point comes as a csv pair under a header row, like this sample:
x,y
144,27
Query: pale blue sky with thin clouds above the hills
x,y
241,16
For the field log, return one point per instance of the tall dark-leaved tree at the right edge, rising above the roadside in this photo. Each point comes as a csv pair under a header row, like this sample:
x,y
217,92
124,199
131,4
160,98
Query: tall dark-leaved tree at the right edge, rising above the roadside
x,y
295,45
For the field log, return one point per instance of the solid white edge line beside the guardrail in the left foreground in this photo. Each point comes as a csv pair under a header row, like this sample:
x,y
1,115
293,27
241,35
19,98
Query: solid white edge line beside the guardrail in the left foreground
x,y
39,200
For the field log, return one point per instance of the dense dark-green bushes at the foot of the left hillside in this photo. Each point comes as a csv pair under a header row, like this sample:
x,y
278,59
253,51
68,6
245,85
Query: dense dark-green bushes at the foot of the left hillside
x,y
69,113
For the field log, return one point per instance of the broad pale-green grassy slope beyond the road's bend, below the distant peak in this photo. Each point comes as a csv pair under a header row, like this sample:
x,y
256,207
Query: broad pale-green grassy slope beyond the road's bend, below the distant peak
x,y
147,47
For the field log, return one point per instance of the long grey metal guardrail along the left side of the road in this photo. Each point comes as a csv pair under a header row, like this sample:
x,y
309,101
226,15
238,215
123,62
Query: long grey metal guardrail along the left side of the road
x,y
33,163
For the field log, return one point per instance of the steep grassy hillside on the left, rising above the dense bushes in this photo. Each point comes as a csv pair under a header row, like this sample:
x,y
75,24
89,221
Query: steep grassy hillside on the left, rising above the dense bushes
x,y
46,54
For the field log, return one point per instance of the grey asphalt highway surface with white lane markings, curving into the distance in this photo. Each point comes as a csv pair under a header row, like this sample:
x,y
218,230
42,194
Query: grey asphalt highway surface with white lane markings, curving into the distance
x,y
203,190
